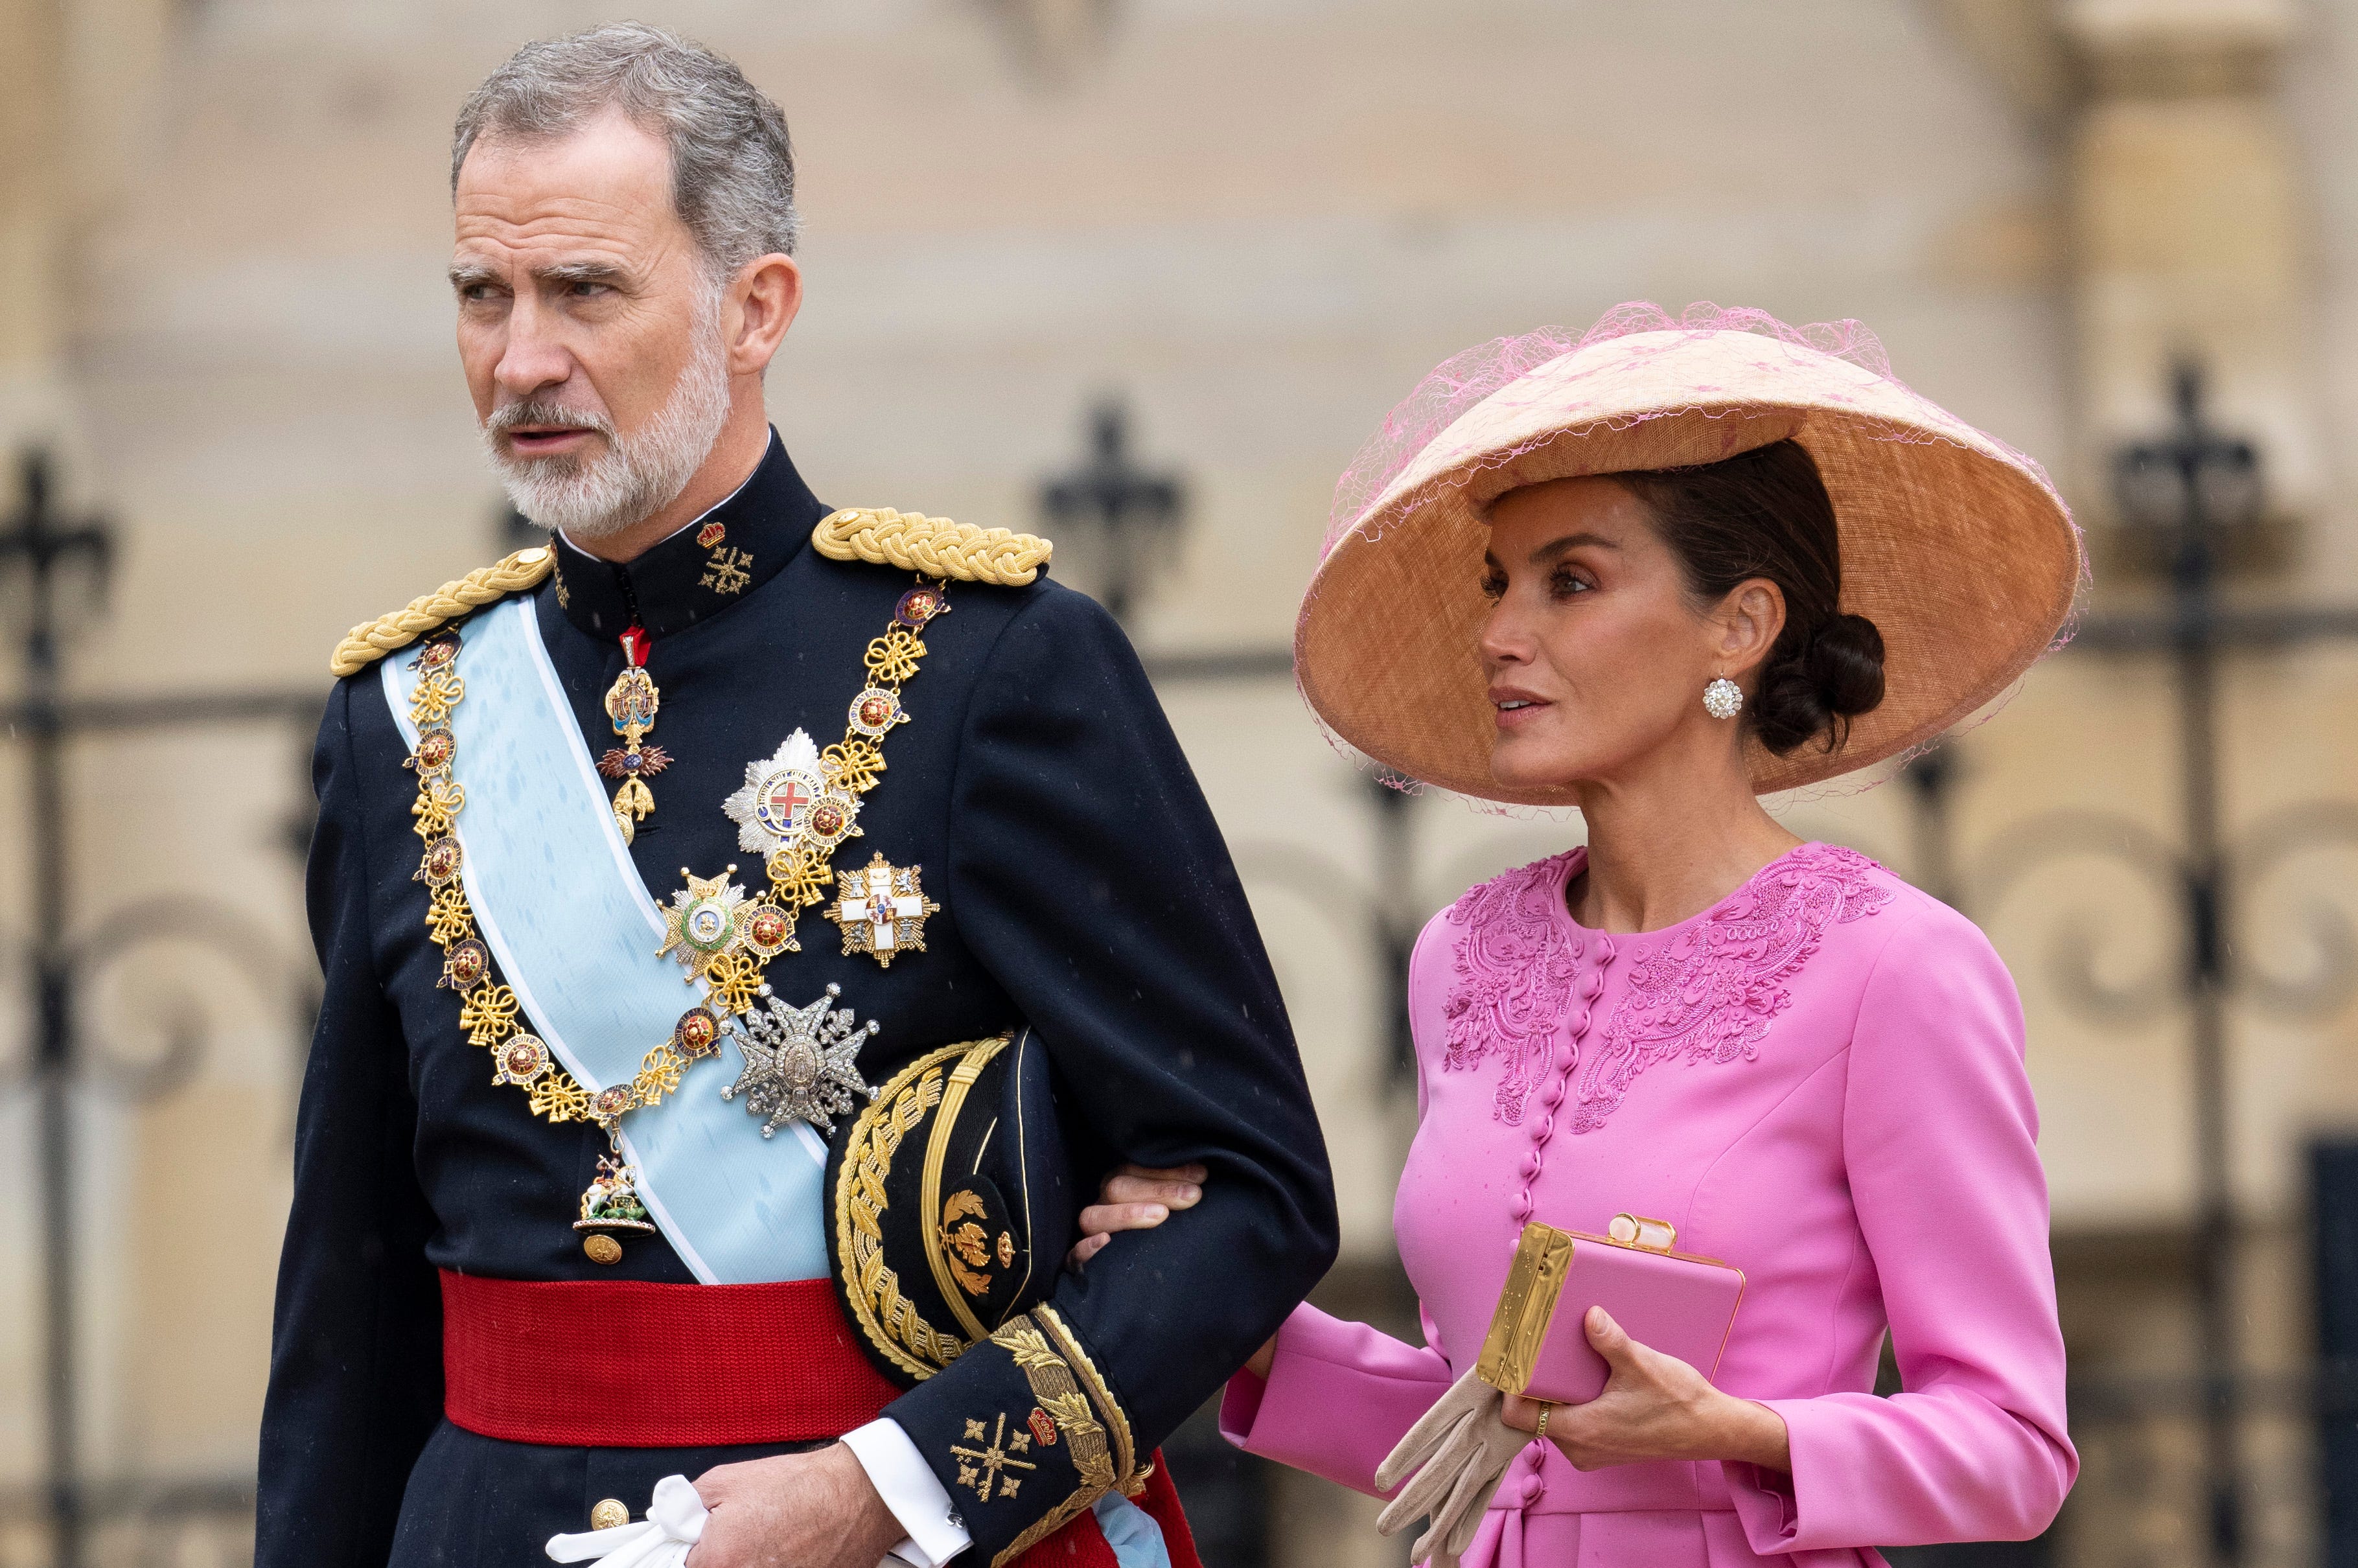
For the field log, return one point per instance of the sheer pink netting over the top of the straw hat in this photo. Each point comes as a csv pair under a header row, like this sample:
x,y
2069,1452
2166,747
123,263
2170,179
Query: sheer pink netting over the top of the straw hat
x,y
1468,378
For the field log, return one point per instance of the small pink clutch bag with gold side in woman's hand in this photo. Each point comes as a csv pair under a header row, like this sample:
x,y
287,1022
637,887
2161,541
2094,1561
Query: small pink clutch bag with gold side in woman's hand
x,y
1539,1343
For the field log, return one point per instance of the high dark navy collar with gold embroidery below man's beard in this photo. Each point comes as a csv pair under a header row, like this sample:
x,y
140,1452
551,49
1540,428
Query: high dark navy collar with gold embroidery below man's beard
x,y
702,572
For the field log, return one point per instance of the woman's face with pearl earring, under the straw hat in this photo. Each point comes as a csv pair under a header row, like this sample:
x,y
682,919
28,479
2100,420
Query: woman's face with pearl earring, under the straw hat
x,y
1598,657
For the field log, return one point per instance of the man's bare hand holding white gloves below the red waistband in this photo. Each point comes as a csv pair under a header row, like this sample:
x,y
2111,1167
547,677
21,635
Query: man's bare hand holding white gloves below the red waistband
x,y
808,1510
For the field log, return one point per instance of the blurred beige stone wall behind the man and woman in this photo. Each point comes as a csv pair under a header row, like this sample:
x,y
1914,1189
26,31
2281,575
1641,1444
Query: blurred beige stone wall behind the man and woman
x,y
1232,235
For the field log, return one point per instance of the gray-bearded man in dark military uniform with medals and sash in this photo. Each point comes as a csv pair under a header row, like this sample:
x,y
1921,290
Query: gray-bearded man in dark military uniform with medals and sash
x,y
709,907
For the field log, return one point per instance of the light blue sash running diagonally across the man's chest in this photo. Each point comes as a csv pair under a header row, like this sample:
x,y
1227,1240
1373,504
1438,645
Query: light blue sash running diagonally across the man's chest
x,y
577,935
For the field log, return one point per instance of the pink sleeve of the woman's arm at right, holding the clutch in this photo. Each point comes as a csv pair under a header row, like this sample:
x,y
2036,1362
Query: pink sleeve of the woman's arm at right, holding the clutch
x,y
1939,1147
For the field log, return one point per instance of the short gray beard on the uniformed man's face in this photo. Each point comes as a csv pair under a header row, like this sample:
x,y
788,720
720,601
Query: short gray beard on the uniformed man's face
x,y
635,477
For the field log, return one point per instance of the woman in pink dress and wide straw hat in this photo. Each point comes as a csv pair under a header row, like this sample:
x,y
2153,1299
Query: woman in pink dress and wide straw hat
x,y
1656,574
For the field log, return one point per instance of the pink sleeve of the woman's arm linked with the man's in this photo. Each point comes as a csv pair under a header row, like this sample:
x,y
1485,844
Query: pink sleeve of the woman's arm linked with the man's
x,y
1338,1399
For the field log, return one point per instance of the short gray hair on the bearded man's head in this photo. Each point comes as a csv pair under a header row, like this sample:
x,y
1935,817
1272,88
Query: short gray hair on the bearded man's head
x,y
732,162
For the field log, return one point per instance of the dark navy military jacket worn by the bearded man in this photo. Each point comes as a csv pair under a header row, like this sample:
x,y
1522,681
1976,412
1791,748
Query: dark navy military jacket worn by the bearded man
x,y
1084,890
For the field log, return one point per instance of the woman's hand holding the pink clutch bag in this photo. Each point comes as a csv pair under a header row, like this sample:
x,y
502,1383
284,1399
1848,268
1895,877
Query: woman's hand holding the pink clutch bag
x,y
1654,1406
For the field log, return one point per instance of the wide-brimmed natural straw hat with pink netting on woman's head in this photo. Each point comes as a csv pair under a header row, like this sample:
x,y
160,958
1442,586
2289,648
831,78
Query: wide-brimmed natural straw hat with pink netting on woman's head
x,y
1954,543
